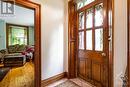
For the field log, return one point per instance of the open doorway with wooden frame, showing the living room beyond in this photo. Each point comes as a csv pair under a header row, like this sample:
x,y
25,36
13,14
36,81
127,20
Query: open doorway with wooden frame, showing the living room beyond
x,y
19,38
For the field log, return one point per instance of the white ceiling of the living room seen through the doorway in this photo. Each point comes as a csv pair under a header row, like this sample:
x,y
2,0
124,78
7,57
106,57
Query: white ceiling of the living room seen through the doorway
x,y
22,16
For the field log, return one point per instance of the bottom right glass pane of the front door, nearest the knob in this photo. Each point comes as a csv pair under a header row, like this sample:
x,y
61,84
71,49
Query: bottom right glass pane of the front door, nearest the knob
x,y
99,39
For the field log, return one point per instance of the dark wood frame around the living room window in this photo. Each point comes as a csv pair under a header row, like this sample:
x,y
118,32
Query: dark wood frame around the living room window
x,y
7,33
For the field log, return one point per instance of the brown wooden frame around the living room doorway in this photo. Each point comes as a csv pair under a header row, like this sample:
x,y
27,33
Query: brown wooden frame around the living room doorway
x,y
37,60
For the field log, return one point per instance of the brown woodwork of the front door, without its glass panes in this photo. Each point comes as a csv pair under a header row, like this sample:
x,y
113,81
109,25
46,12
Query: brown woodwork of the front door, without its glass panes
x,y
92,66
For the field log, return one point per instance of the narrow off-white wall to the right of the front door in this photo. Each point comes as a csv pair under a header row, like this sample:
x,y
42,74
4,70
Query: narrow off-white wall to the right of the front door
x,y
120,40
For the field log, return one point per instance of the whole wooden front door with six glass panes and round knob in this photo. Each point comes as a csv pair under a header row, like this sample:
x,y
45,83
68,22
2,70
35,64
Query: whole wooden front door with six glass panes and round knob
x,y
93,43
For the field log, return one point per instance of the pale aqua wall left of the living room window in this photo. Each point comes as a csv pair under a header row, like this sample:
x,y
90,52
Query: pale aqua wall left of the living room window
x,y
2,35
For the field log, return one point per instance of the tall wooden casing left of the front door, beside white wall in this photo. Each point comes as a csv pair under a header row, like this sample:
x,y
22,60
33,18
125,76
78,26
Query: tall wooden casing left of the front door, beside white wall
x,y
72,39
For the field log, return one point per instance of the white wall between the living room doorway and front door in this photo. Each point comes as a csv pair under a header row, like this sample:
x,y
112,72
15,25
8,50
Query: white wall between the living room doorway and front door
x,y
54,36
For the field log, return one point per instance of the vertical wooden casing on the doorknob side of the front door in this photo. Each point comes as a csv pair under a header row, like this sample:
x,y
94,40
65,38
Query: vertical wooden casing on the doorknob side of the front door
x,y
111,50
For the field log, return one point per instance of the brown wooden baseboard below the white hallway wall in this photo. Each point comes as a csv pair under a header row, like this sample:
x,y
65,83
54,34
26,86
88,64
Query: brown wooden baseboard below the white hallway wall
x,y
53,79
